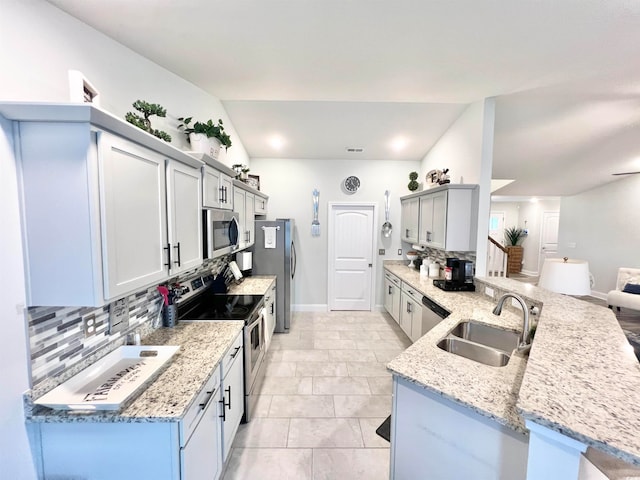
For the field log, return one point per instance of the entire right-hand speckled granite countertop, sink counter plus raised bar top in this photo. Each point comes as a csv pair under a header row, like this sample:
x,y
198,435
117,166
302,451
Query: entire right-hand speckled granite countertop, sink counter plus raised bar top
x,y
581,378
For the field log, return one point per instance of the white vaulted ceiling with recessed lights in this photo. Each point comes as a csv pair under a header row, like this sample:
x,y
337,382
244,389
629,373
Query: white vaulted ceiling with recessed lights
x,y
325,75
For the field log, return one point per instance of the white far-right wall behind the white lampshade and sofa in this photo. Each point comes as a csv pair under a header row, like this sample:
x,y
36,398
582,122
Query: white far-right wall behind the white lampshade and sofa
x,y
604,224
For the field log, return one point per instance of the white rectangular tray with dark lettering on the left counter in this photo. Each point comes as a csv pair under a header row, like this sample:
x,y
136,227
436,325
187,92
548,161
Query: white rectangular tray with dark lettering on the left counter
x,y
111,381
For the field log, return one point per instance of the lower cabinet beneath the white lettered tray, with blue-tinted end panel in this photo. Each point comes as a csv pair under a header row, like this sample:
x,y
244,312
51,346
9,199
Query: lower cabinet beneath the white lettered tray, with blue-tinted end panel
x,y
193,447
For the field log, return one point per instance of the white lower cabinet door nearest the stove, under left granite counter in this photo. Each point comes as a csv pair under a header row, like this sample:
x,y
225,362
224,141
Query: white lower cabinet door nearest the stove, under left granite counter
x,y
232,404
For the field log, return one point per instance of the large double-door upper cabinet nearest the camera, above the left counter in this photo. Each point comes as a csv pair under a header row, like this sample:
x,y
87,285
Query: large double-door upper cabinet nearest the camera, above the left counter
x,y
94,193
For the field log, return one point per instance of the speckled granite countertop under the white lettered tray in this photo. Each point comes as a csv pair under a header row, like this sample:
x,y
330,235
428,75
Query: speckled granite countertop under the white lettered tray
x,y
167,398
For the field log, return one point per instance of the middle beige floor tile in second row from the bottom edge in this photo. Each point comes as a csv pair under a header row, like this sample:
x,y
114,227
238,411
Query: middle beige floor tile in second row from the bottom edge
x,y
324,432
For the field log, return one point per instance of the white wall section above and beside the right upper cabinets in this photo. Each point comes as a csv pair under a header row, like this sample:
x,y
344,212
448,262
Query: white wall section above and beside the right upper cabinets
x,y
466,149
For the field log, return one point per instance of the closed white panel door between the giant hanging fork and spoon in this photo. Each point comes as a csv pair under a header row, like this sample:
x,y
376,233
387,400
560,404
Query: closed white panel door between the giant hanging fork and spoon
x,y
351,246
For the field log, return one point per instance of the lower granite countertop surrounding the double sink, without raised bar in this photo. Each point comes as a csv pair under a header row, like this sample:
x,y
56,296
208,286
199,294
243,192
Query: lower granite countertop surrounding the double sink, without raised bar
x,y
490,391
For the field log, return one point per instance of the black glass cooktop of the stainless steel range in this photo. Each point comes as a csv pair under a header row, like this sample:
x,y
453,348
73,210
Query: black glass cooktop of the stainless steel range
x,y
219,307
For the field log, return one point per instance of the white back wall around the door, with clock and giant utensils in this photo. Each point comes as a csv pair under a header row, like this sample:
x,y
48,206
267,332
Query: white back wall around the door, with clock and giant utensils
x,y
290,183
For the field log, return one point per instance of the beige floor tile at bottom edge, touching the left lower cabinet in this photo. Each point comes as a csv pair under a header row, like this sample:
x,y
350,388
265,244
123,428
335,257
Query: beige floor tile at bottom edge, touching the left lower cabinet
x,y
269,464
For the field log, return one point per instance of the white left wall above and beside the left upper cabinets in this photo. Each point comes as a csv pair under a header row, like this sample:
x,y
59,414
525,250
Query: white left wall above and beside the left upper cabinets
x,y
38,45
